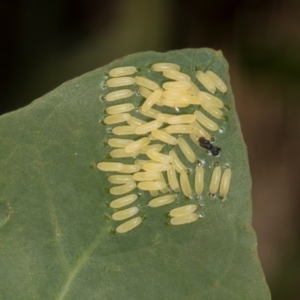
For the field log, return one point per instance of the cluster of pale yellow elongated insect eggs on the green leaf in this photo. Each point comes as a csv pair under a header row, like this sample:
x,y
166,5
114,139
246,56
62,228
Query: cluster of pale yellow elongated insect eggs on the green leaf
x,y
180,92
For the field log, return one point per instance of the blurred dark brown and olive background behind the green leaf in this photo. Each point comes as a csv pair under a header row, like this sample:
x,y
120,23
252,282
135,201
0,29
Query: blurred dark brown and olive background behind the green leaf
x,y
44,43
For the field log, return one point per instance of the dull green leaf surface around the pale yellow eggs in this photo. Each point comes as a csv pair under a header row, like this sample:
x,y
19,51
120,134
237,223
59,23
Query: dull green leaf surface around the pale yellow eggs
x,y
58,240
